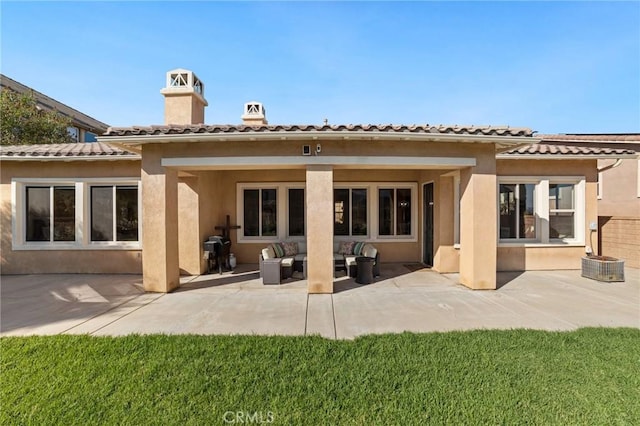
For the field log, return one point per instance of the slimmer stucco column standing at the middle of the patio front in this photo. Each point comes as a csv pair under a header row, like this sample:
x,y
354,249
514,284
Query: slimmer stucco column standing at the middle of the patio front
x,y
320,267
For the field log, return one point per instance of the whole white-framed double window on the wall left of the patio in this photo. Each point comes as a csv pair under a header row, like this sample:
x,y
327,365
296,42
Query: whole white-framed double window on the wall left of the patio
x,y
73,214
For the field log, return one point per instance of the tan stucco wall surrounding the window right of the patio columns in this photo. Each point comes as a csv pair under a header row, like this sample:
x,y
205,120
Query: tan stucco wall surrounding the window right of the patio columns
x,y
548,257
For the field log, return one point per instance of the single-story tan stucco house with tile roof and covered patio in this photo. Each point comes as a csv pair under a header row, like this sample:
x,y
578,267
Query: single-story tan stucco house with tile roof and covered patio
x,y
467,199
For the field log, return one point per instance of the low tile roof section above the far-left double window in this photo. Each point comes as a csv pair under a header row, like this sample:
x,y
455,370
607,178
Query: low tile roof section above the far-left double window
x,y
90,150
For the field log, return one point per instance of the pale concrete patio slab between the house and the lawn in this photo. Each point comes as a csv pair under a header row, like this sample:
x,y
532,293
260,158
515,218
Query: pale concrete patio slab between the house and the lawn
x,y
404,298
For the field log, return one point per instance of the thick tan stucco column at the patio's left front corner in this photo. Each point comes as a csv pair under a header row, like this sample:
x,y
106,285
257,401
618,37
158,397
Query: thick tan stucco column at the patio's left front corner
x,y
160,271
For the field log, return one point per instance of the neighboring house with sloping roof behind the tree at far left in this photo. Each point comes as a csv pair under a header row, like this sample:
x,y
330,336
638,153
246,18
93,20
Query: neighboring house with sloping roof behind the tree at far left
x,y
83,129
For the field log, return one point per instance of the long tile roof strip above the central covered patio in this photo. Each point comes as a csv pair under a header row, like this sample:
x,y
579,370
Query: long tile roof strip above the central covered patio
x,y
372,128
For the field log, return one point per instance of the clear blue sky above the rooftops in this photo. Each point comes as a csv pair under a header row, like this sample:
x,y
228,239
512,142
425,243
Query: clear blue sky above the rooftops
x,y
556,67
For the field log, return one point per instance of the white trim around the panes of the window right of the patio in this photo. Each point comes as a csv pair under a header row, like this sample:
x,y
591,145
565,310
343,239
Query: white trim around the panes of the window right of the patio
x,y
542,210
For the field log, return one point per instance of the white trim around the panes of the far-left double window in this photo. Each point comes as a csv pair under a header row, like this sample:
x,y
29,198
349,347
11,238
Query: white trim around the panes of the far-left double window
x,y
83,218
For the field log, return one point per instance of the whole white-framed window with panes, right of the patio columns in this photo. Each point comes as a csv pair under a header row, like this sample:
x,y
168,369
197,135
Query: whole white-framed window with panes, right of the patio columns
x,y
541,210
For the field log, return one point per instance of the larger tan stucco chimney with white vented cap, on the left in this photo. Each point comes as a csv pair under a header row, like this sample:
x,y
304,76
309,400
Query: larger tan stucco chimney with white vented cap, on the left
x,y
184,100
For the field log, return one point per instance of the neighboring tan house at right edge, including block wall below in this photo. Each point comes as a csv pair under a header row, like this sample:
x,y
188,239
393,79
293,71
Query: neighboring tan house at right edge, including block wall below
x,y
618,193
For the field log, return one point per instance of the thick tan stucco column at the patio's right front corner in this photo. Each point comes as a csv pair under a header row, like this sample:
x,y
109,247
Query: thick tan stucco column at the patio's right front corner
x,y
478,230
